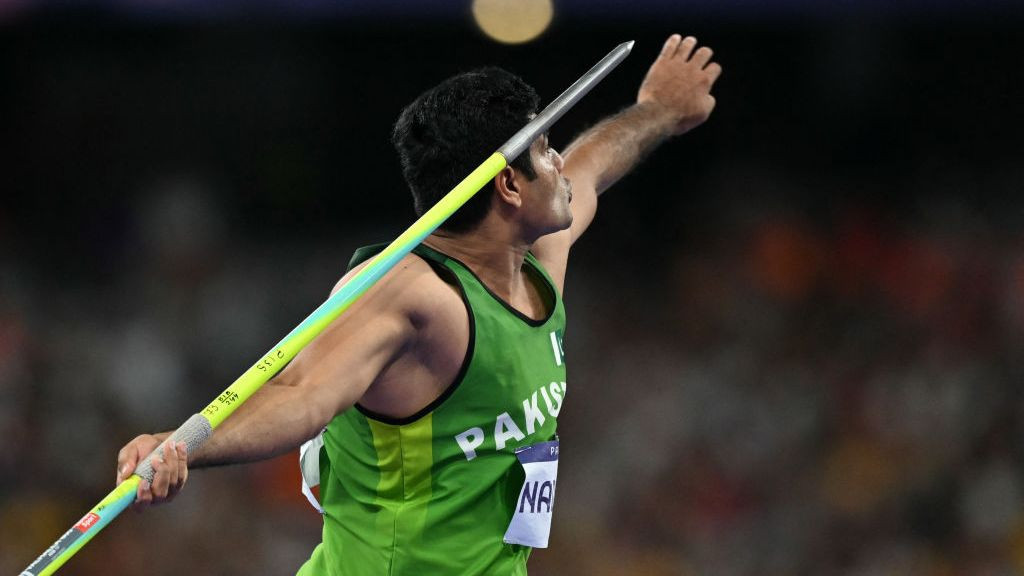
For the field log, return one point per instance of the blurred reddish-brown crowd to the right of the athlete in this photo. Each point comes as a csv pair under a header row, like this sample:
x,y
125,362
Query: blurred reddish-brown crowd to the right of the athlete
x,y
815,392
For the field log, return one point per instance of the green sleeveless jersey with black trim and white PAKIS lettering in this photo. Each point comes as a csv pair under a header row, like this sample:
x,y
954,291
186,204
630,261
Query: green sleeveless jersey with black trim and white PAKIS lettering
x,y
434,495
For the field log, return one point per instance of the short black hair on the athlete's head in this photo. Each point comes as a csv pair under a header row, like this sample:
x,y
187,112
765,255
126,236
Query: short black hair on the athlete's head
x,y
450,130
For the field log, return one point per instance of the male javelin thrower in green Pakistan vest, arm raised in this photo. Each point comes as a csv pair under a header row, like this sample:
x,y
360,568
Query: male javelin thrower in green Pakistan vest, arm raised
x,y
432,404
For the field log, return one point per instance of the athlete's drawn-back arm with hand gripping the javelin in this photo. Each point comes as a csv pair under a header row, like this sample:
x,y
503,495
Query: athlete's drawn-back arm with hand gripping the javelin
x,y
327,378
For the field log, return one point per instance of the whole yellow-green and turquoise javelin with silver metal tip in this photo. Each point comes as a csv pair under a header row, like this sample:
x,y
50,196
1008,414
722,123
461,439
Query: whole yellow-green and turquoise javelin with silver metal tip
x,y
200,427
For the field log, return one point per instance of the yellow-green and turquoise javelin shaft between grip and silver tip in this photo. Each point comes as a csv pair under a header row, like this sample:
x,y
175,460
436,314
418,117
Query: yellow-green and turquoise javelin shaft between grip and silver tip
x,y
274,361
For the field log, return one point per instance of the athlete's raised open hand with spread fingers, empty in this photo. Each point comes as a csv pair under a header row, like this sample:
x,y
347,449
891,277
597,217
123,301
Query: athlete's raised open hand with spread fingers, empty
x,y
680,81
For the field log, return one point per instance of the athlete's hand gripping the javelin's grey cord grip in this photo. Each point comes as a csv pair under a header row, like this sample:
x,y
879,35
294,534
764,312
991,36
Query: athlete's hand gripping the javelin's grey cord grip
x,y
170,467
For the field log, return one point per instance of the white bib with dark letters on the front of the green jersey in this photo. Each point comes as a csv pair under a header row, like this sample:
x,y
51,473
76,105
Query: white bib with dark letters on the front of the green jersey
x,y
531,524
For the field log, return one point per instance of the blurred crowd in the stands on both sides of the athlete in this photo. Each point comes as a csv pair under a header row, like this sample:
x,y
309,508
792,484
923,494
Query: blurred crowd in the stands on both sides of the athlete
x,y
800,392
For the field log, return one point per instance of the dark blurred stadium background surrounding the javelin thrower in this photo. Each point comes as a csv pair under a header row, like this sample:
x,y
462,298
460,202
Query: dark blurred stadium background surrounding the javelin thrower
x,y
796,335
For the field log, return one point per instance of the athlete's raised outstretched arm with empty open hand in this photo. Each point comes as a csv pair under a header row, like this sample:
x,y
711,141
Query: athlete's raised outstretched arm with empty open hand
x,y
674,99
